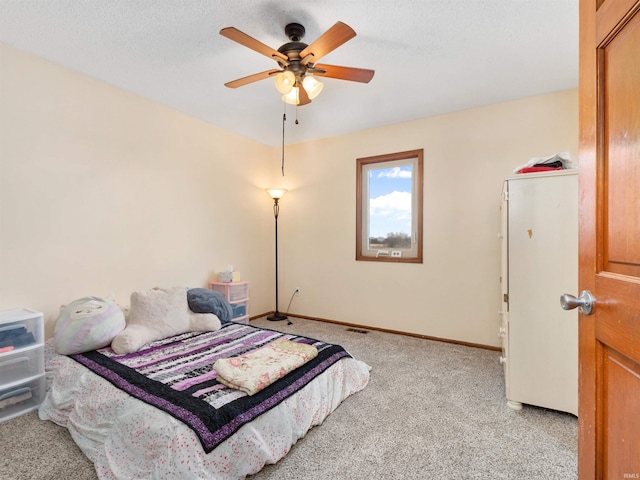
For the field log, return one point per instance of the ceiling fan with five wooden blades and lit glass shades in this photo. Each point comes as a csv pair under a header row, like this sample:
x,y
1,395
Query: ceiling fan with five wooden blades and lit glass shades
x,y
297,61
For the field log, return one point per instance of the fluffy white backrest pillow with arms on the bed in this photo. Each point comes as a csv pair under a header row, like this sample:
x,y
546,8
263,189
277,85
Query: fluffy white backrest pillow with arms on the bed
x,y
160,313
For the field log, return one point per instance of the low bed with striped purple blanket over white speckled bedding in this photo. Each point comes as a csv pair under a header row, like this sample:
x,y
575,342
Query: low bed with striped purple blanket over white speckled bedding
x,y
161,413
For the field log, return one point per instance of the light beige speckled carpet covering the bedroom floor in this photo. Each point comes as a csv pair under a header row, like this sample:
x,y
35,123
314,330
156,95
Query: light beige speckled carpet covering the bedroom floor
x,y
432,410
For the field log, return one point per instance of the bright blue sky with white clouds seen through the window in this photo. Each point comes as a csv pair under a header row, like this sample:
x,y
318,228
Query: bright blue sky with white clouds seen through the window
x,y
390,201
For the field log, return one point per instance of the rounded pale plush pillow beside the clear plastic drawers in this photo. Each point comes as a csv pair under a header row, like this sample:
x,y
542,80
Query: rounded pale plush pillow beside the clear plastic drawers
x,y
87,324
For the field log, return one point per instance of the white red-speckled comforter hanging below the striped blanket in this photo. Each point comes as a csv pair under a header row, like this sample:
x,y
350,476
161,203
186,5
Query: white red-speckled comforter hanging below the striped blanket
x,y
128,439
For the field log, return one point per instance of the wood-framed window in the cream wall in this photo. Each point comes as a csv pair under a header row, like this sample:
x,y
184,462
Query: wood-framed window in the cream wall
x,y
389,207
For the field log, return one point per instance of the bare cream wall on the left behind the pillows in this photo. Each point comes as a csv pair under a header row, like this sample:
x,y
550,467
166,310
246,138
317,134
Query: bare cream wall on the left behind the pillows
x,y
105,192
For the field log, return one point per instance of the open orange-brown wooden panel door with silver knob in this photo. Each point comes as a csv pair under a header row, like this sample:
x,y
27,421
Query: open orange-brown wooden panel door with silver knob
x,y
609,158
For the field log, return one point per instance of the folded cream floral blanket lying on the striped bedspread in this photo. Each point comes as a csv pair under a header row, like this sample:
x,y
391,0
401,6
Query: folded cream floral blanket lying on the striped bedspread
x,y
258,369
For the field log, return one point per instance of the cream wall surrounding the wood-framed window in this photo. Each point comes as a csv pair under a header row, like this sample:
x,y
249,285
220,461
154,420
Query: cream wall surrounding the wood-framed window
x,y
455,293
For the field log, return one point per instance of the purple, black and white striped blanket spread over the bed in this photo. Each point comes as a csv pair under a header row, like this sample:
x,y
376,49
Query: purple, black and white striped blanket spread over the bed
x,y
176,375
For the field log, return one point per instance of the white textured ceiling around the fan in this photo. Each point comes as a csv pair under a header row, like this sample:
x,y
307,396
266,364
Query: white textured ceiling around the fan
x,y
430,56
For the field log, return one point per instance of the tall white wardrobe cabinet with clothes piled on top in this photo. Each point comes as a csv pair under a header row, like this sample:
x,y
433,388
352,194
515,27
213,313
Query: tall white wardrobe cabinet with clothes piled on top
x,y
539,263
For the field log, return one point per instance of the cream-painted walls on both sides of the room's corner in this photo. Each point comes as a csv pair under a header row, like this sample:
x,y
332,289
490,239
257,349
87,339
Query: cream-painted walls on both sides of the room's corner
x,y
102,191
